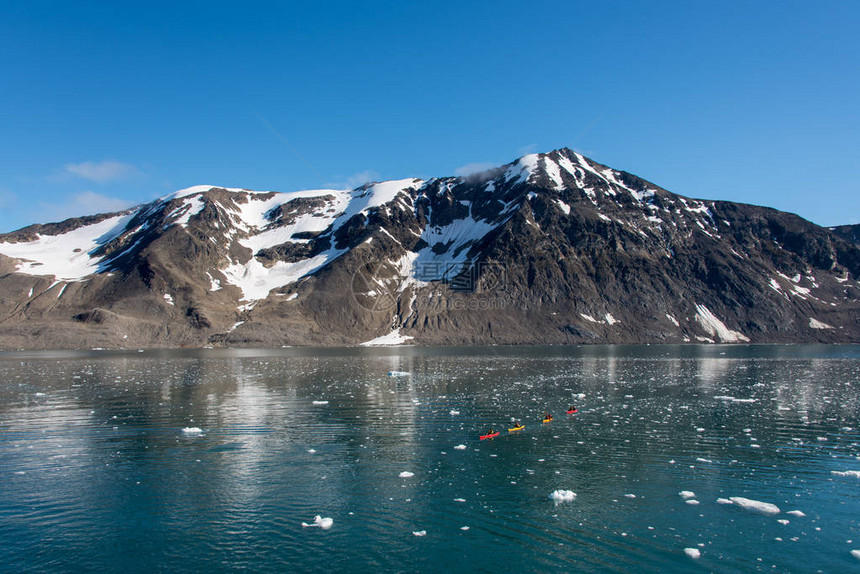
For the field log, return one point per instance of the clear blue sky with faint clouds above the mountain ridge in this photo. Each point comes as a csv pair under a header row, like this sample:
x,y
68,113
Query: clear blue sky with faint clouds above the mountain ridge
x,y
105,105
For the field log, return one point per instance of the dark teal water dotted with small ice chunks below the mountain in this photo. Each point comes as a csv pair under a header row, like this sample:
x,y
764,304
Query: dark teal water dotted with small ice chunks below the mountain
x,y
100,470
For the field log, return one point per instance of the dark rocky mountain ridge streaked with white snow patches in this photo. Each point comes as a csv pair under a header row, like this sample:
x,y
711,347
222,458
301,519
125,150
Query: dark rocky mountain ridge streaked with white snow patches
x,y
552,248
